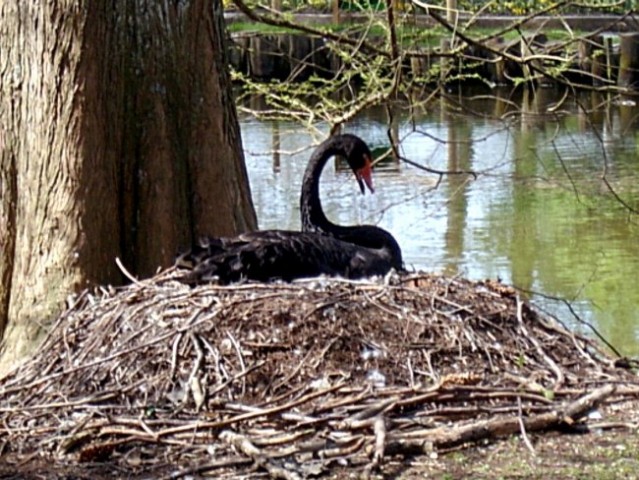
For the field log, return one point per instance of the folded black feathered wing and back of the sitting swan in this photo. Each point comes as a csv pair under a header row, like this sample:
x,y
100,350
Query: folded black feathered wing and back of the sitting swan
x,y
278,254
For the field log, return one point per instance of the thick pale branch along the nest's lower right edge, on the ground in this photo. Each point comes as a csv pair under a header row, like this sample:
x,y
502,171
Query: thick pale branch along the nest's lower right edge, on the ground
x,y
443,437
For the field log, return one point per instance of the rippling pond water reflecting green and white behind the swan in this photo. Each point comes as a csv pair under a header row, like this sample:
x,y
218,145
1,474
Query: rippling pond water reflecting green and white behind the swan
x,y
544,211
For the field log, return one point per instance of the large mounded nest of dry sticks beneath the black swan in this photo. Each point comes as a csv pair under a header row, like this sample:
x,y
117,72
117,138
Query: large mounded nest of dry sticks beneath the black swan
x,y
295,380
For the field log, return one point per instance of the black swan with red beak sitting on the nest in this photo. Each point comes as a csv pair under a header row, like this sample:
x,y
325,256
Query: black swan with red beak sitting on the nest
x,y
321,248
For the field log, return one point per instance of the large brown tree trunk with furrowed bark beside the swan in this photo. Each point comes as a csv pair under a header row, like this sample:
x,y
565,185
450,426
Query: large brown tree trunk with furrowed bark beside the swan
x,y
119,138
